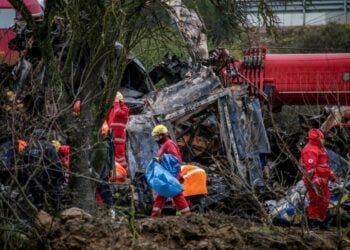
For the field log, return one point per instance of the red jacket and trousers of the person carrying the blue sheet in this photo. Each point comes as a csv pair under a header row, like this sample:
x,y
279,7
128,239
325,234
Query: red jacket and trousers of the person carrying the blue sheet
x,y
170,147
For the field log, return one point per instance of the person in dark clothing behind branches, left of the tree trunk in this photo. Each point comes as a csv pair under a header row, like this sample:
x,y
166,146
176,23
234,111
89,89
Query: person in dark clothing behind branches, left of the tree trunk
x,y
43,171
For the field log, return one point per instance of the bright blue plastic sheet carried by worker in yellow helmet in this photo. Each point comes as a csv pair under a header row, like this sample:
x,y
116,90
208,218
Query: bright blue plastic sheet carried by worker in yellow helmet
x,y
162,181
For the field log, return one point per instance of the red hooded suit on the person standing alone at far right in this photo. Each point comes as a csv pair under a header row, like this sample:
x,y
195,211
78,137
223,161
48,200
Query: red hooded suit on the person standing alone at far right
x,y
317,173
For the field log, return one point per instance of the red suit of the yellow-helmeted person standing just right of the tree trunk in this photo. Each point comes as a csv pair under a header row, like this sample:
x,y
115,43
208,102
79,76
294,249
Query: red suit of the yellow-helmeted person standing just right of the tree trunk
x,y
116,120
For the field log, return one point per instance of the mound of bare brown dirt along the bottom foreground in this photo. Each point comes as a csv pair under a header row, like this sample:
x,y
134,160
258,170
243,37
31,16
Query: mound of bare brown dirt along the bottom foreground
x,y
209,231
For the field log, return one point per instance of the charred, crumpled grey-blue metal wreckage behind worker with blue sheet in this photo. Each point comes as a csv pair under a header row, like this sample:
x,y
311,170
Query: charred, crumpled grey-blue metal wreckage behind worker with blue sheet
x,y
214,126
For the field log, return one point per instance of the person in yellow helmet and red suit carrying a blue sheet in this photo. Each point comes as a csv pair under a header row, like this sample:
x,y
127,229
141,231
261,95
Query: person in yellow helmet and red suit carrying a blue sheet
x,y
167,146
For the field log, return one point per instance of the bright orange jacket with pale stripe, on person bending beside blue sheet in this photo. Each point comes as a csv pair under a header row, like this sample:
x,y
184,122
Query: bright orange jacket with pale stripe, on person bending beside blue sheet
x,y
194,180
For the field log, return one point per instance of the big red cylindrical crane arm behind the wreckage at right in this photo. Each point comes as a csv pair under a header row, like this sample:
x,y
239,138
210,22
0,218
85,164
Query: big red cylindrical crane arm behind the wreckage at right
x,y
292,79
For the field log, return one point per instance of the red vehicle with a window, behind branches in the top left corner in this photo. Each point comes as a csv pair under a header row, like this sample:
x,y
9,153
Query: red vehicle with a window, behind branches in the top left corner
x,y
7,18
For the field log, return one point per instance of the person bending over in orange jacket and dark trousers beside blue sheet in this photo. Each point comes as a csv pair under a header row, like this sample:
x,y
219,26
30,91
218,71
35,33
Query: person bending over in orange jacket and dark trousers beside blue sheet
x,y
194,181
